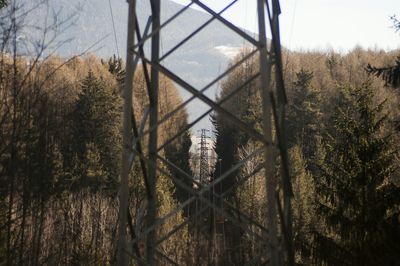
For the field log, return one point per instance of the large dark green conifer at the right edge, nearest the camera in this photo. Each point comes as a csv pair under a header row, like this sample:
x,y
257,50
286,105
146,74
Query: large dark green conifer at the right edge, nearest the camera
x,y
357,200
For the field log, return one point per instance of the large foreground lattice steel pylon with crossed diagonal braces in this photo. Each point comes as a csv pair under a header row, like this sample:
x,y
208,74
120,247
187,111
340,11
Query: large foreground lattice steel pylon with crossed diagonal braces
x,y
141,141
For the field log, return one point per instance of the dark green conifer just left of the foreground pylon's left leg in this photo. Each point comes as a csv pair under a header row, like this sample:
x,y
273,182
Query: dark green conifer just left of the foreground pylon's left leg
x,y
96,119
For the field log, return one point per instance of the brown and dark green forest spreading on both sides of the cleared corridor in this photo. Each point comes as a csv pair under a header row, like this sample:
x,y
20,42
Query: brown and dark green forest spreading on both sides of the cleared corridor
x,y
61,144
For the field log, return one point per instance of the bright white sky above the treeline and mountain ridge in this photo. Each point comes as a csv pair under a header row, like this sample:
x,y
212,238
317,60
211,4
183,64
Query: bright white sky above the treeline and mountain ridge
x,y
321,24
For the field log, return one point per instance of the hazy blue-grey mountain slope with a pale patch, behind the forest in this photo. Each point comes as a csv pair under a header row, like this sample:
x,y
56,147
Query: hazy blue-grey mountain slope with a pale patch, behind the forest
x,y
199,60
